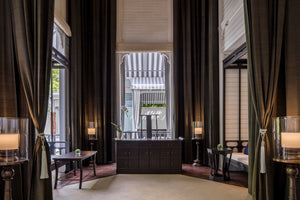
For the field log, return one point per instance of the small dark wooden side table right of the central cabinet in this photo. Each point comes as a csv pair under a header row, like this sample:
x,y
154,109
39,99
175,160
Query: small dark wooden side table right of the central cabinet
x,y
214,158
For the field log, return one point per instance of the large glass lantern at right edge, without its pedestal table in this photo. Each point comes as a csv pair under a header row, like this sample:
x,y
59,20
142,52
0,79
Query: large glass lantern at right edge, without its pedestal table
x,y
286,132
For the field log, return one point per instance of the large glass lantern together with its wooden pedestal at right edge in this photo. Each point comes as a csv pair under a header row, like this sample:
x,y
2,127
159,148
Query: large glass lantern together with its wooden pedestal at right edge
x,y
286,133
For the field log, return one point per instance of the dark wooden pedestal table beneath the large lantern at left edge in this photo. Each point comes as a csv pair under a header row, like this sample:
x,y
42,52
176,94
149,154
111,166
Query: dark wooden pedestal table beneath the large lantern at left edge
x,y
7,174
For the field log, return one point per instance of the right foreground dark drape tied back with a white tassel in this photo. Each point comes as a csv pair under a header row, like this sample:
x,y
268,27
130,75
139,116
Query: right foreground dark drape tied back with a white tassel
x,y
265,21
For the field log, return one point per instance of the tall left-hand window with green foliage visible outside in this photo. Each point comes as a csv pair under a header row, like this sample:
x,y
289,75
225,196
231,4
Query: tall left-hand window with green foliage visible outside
x,y
57,124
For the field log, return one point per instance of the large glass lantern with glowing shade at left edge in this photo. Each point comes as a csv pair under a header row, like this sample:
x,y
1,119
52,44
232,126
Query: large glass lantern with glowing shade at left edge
x,y
13,139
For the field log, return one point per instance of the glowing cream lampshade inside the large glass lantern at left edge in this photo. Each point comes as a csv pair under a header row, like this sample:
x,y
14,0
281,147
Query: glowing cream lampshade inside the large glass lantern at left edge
x,y
9,141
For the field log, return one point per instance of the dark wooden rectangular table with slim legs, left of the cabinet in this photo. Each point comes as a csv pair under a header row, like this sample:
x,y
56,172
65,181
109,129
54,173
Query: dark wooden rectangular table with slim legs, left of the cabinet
x,y
73,157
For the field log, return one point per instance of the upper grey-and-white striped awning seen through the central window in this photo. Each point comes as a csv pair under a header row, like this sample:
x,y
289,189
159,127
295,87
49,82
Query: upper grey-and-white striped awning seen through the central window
x,y
151,64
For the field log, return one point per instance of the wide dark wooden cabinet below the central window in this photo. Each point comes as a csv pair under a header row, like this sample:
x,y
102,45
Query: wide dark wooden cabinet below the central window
x,y
148,156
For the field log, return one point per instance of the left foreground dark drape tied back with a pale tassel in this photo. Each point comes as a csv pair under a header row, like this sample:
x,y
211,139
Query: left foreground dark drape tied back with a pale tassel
x,y
32,22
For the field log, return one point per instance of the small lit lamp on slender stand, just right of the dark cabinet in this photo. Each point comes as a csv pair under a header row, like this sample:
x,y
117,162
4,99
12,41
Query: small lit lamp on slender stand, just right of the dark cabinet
x,y
197,136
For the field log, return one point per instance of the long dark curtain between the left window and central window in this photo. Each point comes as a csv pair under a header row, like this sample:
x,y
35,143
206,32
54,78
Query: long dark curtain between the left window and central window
x,y
93,84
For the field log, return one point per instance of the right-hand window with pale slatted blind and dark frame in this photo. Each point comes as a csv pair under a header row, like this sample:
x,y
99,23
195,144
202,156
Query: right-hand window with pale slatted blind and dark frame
x,y
236,107
